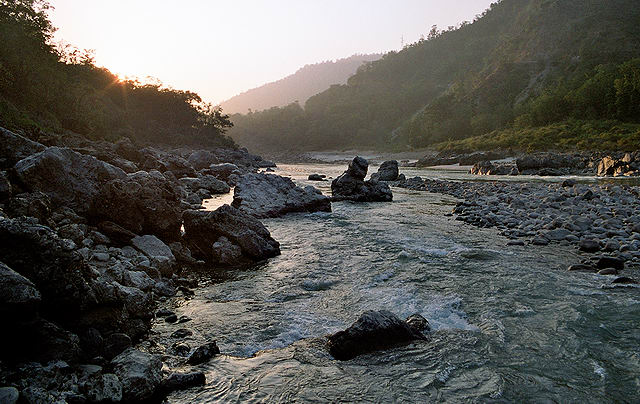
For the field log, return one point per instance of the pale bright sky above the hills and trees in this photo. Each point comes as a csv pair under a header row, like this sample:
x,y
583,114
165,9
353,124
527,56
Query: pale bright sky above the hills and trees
x,y
220,48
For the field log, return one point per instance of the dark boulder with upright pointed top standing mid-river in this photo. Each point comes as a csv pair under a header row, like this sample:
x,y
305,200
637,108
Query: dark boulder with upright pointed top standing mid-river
x,y
351,185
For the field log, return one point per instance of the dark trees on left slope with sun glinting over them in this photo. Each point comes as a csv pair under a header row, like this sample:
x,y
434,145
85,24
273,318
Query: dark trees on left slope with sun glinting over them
x,y
44,88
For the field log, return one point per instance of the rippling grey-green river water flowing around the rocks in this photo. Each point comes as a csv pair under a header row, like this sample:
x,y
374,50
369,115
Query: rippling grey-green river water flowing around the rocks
x,y
510,324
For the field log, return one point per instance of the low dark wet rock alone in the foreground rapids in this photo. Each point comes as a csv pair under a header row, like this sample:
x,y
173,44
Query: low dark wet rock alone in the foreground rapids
x,y
373,331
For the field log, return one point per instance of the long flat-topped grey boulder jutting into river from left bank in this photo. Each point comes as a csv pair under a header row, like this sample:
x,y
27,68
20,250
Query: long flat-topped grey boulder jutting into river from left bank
x,y
268,195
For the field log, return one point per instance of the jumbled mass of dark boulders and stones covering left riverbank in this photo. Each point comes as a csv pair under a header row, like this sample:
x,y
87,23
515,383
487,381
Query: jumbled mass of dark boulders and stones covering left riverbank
x,y
90,238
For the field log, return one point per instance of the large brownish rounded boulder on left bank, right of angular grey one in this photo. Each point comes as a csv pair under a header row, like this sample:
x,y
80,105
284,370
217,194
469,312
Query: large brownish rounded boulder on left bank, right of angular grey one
x,y
143,203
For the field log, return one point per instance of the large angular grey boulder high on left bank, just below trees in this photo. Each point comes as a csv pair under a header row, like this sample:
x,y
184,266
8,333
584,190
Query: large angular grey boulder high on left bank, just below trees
x,y
69,178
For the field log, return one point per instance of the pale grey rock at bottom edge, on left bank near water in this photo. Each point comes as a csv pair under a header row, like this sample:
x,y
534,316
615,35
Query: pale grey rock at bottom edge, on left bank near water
x,y
140,374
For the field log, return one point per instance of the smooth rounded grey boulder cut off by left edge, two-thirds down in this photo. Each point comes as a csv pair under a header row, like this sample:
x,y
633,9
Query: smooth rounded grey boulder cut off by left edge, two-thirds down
x,y
19,297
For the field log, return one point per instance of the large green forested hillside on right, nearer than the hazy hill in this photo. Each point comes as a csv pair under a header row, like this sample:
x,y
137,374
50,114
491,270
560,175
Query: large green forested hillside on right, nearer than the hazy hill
x,y
531,73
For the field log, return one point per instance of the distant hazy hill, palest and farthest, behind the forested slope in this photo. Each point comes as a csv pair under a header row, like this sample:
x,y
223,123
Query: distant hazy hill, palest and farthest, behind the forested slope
x,y
300,86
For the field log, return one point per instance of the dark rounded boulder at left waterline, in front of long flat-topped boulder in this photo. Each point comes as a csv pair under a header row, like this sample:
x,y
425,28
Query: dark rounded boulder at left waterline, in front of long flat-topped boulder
x,y
204,229
